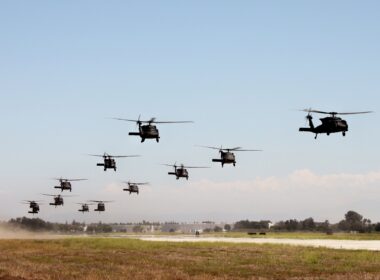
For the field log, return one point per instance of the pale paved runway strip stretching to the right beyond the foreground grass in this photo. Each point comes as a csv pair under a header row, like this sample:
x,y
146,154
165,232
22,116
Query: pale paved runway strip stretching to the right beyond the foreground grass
x,y
372,245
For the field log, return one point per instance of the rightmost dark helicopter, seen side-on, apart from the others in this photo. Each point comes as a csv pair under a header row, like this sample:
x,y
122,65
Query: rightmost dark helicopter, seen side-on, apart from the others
x,y
331,124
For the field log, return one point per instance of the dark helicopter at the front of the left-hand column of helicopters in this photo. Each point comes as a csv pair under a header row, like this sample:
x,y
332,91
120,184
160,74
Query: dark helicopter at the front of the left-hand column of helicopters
x,y
147,129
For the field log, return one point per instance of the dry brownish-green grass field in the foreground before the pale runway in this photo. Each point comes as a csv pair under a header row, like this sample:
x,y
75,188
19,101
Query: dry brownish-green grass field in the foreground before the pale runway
x,y
108,258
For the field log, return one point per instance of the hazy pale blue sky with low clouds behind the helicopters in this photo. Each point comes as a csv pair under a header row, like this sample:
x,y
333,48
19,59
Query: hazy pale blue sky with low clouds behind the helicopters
x,y
238,69
